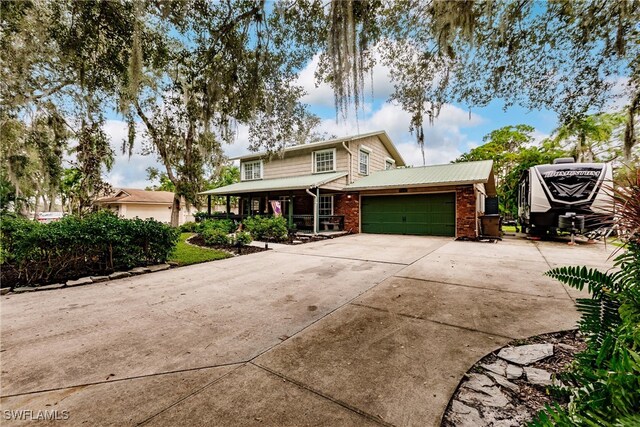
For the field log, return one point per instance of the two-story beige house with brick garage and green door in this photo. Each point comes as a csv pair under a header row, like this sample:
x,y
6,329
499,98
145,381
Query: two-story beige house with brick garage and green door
x,y
360,184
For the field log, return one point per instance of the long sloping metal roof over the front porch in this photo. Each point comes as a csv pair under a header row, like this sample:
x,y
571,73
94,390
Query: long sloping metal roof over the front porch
x,y
288,183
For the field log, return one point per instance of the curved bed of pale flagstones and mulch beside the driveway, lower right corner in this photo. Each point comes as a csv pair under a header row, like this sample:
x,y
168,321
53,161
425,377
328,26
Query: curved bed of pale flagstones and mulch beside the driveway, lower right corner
x,y
509,386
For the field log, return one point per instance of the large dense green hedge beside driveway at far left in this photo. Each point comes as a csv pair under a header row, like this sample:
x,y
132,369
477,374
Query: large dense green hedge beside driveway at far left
x,y
72,247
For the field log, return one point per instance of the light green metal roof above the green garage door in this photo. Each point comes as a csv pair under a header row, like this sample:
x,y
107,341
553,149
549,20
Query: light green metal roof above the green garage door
x,y
449,174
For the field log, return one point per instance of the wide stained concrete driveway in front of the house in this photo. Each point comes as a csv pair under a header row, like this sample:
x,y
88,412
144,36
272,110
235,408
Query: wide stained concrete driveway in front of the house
x,y
360,330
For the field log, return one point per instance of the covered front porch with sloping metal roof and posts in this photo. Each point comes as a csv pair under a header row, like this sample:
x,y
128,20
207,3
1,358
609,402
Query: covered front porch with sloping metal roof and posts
x,y
311,207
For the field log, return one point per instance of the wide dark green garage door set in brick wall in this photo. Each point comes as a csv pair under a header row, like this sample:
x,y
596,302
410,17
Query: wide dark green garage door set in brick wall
x,y
424,214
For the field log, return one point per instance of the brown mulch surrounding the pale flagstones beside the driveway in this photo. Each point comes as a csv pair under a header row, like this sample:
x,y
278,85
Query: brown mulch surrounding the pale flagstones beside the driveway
x,y
530,398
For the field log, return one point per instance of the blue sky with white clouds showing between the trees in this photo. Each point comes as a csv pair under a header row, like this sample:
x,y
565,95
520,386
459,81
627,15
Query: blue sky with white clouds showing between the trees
x,y
453,133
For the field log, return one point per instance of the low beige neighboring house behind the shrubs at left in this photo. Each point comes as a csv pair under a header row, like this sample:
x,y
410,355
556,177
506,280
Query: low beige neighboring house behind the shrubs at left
x,y
131,203
